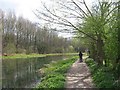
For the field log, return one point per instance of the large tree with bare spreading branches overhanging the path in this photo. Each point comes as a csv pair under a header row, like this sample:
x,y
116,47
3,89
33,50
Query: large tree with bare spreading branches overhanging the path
x,y
91,23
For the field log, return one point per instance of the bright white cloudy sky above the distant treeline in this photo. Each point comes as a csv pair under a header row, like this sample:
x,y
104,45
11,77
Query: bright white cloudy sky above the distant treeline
x,y
25,8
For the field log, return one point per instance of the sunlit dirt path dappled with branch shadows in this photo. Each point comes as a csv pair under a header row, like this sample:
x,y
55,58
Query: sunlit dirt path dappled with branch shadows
x,y
79,76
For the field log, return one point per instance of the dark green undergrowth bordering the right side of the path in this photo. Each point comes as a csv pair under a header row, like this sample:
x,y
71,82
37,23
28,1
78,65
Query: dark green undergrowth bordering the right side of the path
x,y
102,76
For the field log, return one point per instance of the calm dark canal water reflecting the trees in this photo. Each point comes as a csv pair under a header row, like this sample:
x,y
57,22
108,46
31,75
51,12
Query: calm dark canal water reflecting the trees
x,y
22,73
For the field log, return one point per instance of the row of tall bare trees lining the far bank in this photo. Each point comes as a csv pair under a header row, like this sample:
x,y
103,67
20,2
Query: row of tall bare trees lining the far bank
x,y
22,36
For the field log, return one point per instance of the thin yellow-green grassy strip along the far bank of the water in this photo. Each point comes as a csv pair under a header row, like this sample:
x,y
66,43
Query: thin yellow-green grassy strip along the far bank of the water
x,y
14,56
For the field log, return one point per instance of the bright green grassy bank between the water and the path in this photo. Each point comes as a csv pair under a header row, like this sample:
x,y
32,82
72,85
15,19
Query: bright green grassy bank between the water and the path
x,y
54,74
